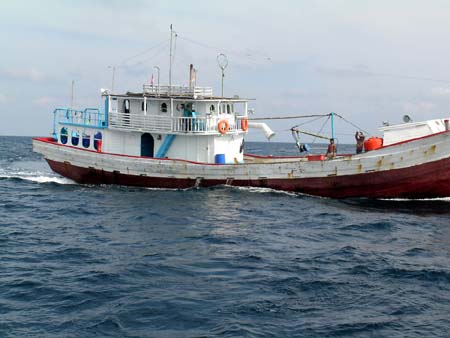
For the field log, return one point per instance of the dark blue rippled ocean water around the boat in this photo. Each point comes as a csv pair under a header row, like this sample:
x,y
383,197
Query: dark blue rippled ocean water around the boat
x,y
104,261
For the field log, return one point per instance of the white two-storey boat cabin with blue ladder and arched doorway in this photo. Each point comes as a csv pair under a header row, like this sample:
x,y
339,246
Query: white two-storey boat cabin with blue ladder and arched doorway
x,y
162,122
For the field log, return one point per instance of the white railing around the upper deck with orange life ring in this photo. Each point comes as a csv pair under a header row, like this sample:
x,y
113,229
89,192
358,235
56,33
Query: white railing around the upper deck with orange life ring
x,y
174,125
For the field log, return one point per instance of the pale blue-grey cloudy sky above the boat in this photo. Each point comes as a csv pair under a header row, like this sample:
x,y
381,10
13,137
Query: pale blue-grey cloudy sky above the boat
x,y
369,61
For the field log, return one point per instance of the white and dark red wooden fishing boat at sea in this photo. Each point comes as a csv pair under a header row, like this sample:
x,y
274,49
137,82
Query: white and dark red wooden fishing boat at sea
x,y
169,136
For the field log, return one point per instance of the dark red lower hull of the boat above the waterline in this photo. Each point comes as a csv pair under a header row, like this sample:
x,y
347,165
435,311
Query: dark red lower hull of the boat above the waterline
x,y
428,180
